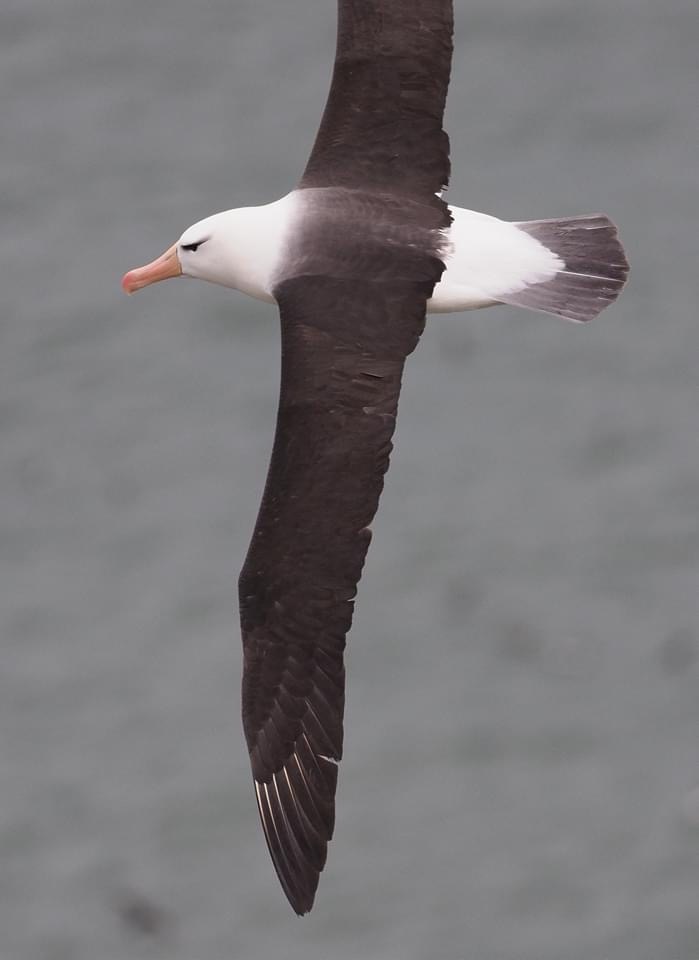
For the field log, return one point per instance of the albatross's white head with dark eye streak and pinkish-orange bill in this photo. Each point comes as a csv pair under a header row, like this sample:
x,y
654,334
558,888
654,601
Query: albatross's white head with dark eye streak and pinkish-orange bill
x,y
206,250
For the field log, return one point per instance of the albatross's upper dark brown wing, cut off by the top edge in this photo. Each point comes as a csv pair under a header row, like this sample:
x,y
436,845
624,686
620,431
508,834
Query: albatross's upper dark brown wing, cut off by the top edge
x,y
382,125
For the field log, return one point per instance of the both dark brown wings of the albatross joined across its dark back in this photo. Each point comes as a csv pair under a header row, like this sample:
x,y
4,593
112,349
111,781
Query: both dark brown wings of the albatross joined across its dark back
x,y
365,256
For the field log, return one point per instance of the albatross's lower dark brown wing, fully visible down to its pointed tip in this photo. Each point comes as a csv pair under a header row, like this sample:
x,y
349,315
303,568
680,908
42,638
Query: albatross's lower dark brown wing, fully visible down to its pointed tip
x,y
344,343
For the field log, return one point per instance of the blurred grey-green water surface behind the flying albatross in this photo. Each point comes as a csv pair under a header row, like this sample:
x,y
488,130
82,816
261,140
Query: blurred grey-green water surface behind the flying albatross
x,y
521,777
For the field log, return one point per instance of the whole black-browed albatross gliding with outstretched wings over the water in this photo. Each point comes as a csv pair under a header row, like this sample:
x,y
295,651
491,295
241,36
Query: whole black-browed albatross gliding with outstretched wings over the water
x,y
355,256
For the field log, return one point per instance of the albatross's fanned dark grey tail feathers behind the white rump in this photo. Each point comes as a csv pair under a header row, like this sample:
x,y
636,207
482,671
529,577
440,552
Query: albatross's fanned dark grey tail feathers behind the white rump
x,y
594,268
